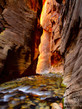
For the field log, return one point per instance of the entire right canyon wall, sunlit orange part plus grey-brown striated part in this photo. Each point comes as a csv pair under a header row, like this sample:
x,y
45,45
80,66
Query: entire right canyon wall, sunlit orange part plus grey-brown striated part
x,y
61,43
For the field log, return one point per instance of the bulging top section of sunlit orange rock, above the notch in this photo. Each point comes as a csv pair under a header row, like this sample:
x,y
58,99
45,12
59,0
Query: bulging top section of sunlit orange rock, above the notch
x,y
48,14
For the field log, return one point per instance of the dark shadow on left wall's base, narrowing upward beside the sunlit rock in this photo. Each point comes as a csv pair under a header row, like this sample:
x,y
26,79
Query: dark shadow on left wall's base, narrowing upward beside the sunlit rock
x,y
18,58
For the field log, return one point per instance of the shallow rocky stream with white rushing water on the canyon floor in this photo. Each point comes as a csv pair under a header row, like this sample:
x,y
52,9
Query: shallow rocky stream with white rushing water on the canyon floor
x,y
34,92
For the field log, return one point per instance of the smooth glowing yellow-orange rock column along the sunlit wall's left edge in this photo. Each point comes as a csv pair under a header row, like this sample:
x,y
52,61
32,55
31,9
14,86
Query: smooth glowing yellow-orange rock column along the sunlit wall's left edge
x,y
44,59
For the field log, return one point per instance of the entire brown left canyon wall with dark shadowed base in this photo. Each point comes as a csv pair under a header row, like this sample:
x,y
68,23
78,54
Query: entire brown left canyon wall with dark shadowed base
x,y
18,19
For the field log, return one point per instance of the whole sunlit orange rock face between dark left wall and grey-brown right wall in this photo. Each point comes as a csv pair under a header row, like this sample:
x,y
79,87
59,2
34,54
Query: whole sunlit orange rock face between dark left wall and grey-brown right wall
x,y
50,22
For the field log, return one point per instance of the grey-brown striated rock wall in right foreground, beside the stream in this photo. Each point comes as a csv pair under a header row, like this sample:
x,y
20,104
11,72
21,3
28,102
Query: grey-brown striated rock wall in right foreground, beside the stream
x,y
71,47
